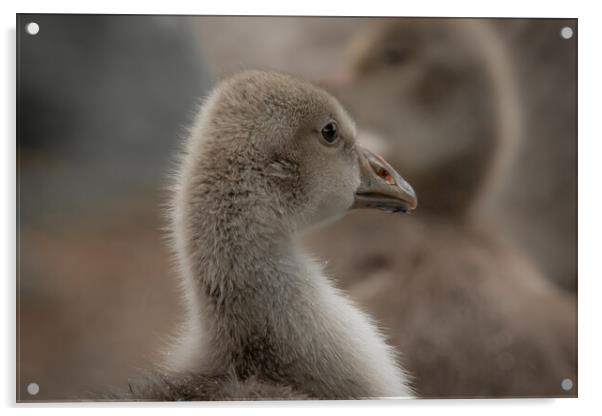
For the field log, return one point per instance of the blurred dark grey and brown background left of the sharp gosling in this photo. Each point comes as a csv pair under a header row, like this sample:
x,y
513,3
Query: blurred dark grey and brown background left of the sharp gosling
x,y
103,101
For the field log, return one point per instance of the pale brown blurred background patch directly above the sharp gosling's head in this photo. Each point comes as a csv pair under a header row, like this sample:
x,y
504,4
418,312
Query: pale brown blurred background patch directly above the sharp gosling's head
x,y
310,47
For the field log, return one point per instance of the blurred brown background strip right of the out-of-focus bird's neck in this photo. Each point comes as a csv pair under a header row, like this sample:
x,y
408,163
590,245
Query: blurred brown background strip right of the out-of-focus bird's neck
x,y
540,202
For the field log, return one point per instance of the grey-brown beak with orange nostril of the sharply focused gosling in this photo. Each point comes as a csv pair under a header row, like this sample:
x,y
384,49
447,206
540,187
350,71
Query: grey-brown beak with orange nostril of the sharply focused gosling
x,y
381,187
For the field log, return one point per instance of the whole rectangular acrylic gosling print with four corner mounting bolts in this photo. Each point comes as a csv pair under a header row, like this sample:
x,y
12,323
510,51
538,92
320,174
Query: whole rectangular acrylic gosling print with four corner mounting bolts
x,y
163,254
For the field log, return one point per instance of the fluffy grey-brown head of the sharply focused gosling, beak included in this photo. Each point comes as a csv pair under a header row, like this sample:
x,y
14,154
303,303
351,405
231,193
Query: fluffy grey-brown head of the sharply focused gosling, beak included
x,y
282,152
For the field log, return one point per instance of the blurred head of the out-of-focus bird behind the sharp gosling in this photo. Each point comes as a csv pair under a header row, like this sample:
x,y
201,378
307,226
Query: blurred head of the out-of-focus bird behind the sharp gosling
x,y
426,86
